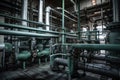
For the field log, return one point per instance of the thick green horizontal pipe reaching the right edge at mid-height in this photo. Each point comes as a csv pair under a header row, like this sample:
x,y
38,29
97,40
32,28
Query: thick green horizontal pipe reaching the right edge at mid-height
x,y
109,47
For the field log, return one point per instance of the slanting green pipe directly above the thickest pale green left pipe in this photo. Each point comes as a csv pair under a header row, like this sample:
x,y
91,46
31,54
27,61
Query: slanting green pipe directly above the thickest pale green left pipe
x,y
32,29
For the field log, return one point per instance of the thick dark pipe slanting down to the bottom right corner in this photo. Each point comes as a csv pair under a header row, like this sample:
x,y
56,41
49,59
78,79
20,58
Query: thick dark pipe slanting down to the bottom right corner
x,y
101,71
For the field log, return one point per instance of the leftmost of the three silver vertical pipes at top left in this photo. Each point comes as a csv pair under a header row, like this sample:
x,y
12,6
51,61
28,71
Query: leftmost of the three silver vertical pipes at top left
x,y
24,12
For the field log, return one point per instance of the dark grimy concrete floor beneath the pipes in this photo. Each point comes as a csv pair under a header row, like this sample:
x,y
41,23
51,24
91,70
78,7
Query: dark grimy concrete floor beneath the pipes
x,y
41,72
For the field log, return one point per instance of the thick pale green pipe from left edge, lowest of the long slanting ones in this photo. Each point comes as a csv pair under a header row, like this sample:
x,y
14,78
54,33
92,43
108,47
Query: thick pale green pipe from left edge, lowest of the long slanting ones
x,y
19,33
